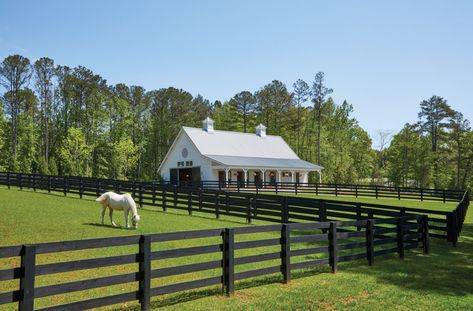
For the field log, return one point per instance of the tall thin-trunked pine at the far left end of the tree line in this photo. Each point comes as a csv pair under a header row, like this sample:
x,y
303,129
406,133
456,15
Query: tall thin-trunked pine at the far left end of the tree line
x,y
15,73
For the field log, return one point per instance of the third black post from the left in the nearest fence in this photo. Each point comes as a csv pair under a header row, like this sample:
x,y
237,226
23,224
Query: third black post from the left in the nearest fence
x,y
229,261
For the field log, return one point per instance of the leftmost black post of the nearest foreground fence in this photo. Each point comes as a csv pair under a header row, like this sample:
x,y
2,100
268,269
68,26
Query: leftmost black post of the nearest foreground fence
x,y
28,262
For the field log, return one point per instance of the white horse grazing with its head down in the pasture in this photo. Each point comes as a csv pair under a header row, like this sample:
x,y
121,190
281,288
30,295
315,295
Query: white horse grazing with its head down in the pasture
x,y
119,202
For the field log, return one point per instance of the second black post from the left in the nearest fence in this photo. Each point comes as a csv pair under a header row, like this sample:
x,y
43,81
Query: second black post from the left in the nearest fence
x,y
145,272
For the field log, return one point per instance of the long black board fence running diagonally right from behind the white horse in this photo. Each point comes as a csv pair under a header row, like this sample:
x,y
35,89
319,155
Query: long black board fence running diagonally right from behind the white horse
x,y
273,208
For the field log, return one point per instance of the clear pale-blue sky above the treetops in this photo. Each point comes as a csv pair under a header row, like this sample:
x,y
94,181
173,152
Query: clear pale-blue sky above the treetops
x,y
383,57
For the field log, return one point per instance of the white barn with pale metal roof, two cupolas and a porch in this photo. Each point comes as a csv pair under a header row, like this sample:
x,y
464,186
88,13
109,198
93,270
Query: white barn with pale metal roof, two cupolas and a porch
x,y
205,154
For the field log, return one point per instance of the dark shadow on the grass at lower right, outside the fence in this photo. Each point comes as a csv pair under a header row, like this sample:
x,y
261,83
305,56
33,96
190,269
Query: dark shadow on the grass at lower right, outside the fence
x,y
446,270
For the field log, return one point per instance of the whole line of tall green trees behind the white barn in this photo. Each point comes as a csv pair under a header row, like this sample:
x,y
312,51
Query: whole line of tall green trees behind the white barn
x,y
69,121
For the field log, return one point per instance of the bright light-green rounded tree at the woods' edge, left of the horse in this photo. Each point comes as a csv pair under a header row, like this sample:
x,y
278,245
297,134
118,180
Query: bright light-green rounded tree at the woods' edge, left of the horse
x,y
75,153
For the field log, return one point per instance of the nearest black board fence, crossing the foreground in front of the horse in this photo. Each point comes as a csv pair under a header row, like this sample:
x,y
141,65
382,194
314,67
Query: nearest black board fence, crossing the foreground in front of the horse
x,y
339,242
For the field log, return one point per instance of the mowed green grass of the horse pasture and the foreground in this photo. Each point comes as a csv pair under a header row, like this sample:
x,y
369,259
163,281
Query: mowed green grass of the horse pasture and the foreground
x,y
441,280
